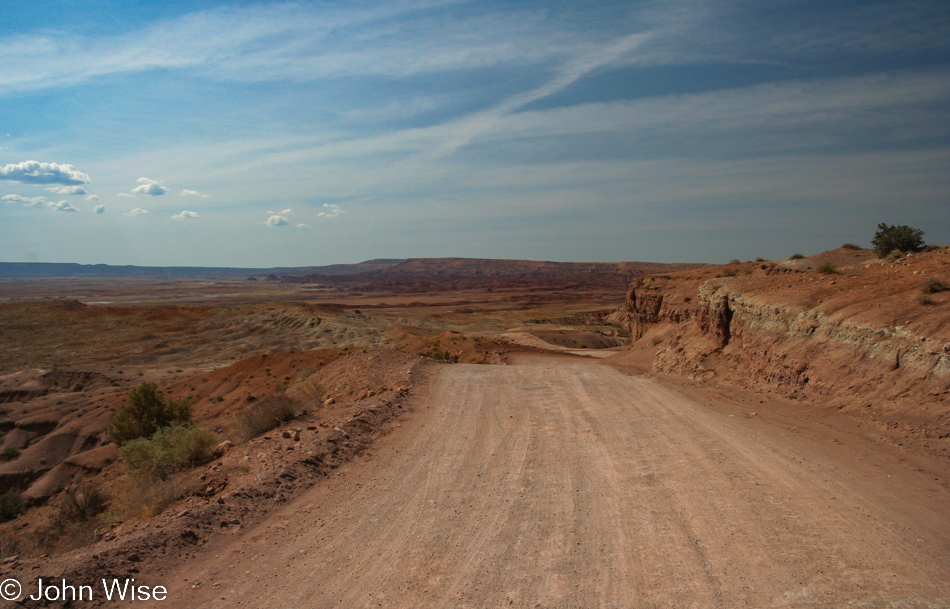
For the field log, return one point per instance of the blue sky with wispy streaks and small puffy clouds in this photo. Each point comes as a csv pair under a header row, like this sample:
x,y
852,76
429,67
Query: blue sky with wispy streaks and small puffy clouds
x,y
272,133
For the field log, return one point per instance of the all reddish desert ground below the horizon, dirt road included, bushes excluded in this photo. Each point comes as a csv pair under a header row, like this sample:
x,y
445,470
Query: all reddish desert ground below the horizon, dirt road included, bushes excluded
x,y
495,433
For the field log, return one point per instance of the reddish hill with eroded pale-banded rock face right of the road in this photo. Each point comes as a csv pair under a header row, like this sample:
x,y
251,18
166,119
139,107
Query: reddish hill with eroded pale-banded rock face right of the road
x,y
869,337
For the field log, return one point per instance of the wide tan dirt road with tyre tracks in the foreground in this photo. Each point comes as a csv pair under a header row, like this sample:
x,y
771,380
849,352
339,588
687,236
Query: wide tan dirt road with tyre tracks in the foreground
x,y
564,485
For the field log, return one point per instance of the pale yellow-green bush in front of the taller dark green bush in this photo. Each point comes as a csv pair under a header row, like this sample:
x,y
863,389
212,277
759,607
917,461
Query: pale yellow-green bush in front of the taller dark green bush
x,y
170,450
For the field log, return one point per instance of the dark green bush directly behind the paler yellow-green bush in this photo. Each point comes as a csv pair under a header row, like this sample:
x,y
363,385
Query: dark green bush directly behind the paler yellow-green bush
x,y
146,412
